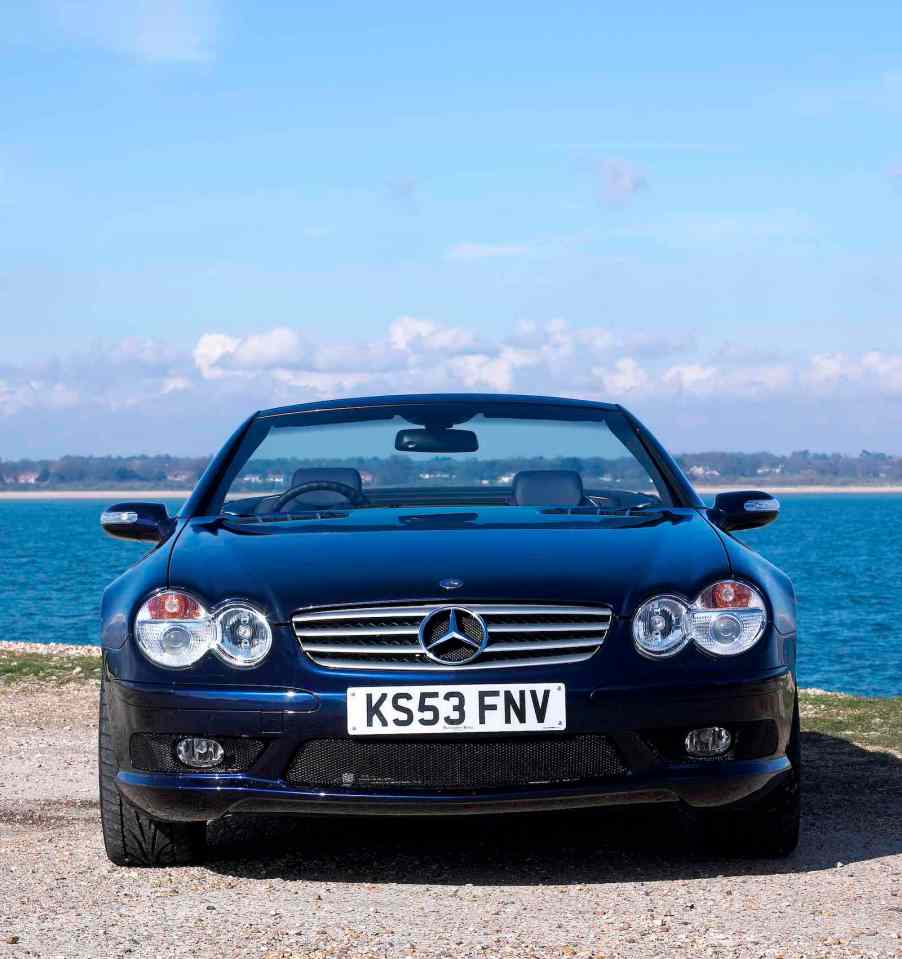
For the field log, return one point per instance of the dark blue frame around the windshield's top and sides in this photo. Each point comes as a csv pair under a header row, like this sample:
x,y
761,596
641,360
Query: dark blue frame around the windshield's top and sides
x,y
210,493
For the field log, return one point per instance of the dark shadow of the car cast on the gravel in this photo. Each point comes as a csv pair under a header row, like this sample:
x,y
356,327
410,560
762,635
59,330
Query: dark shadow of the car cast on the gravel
x,y
851,810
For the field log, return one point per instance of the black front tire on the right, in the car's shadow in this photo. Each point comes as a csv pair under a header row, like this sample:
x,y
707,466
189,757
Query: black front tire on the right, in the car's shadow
x,y
771,827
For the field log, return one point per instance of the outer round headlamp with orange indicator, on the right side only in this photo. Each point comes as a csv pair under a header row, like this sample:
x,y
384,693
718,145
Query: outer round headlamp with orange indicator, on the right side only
x,y
728,618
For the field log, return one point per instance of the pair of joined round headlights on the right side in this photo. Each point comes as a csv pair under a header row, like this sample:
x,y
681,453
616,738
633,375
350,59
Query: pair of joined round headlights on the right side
x,y
728,618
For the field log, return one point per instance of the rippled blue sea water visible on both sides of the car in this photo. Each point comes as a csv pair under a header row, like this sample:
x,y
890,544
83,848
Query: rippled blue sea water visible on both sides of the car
x,y
843,552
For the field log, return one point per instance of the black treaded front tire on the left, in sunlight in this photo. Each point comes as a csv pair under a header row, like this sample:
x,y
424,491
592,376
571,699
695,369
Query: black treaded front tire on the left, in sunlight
x,y
131,837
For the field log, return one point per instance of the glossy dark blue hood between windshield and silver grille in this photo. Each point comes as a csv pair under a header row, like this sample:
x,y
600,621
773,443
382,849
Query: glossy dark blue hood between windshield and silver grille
x,y
396,555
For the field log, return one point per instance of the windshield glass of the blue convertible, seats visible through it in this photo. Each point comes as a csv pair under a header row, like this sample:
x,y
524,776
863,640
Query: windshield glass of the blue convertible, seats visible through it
x,y
298,463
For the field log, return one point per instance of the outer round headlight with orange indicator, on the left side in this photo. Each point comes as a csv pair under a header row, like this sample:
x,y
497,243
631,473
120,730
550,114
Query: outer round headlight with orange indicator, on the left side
x,y
173,629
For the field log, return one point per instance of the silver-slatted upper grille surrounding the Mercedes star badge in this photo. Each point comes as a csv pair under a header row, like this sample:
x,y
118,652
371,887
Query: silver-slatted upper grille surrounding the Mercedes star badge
x,y
387,637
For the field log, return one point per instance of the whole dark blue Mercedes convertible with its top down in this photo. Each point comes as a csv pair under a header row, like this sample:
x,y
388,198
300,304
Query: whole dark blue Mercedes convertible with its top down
x,y
445,605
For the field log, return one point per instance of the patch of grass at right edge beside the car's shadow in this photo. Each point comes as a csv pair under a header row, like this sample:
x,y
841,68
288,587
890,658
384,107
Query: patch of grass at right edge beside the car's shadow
x,y
865,721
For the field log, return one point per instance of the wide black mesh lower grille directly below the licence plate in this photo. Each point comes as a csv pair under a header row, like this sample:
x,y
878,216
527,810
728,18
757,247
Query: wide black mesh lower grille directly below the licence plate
x,y
469,764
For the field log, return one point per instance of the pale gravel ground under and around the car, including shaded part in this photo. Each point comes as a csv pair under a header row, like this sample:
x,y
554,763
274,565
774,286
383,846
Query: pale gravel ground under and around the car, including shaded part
x,y
612,884
